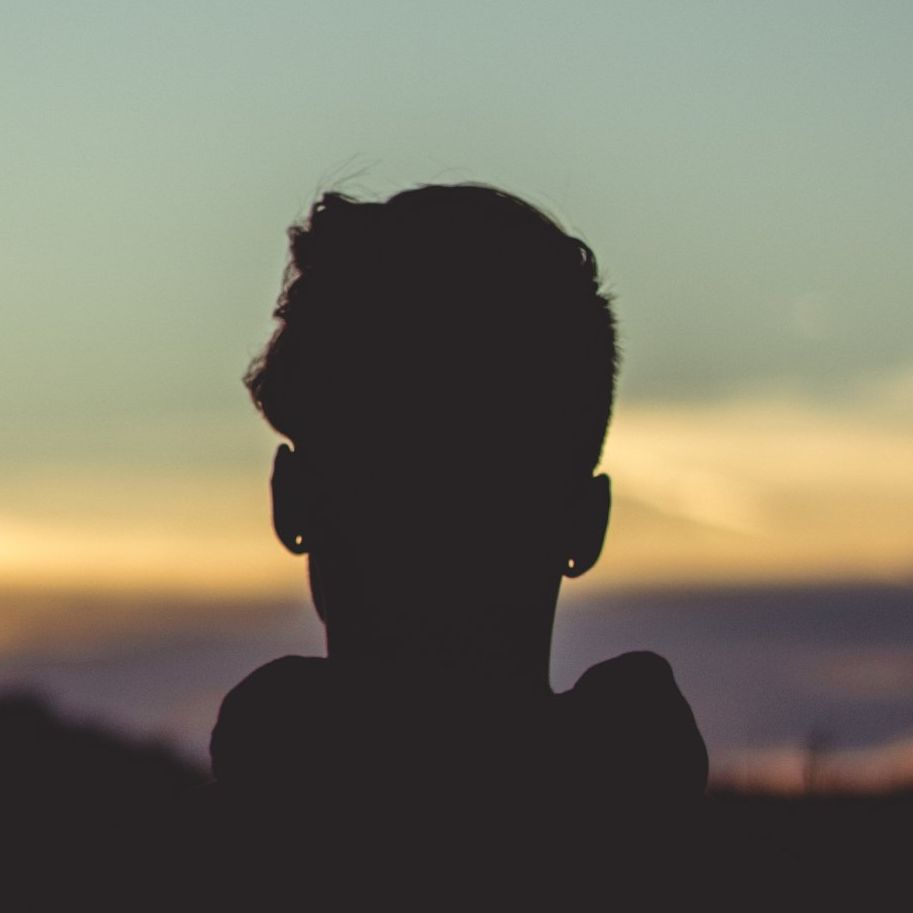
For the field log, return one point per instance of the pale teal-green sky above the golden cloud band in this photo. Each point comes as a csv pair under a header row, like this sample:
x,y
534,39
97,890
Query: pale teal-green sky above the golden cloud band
x,y
744,171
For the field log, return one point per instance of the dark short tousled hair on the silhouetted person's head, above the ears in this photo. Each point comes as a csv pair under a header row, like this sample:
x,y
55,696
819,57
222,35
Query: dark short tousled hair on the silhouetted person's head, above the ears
x,y
448,320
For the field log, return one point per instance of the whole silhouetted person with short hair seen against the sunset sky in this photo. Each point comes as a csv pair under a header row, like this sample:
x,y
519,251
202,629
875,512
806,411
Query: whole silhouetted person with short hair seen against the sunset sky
x,y
444,370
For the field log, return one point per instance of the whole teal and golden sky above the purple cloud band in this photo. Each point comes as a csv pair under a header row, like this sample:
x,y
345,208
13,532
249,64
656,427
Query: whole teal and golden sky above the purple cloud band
x,y
743,171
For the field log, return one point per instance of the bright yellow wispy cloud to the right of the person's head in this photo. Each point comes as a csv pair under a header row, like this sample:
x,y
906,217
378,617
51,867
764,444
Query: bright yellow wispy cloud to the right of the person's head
x,y
759,489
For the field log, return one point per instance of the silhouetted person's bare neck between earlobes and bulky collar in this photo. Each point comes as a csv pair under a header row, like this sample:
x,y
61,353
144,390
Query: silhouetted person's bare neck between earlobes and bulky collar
x,y
493,629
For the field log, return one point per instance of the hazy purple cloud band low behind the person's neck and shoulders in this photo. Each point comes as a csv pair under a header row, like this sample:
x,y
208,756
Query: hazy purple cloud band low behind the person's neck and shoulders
x,y
778,679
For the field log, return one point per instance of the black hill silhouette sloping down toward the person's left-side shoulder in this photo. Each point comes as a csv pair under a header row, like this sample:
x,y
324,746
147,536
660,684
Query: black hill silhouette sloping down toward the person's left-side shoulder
x,y
81,809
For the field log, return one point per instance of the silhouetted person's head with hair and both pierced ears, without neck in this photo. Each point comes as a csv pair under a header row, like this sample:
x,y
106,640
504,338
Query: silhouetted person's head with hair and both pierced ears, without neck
x,y
444,366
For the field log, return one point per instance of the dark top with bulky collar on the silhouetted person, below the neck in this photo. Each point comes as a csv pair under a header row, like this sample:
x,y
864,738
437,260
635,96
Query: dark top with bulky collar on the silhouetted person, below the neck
x,y
352,784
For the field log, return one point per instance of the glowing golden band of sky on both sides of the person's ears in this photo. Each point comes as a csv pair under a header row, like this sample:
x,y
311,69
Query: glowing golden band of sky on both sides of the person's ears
x,y
742,492
